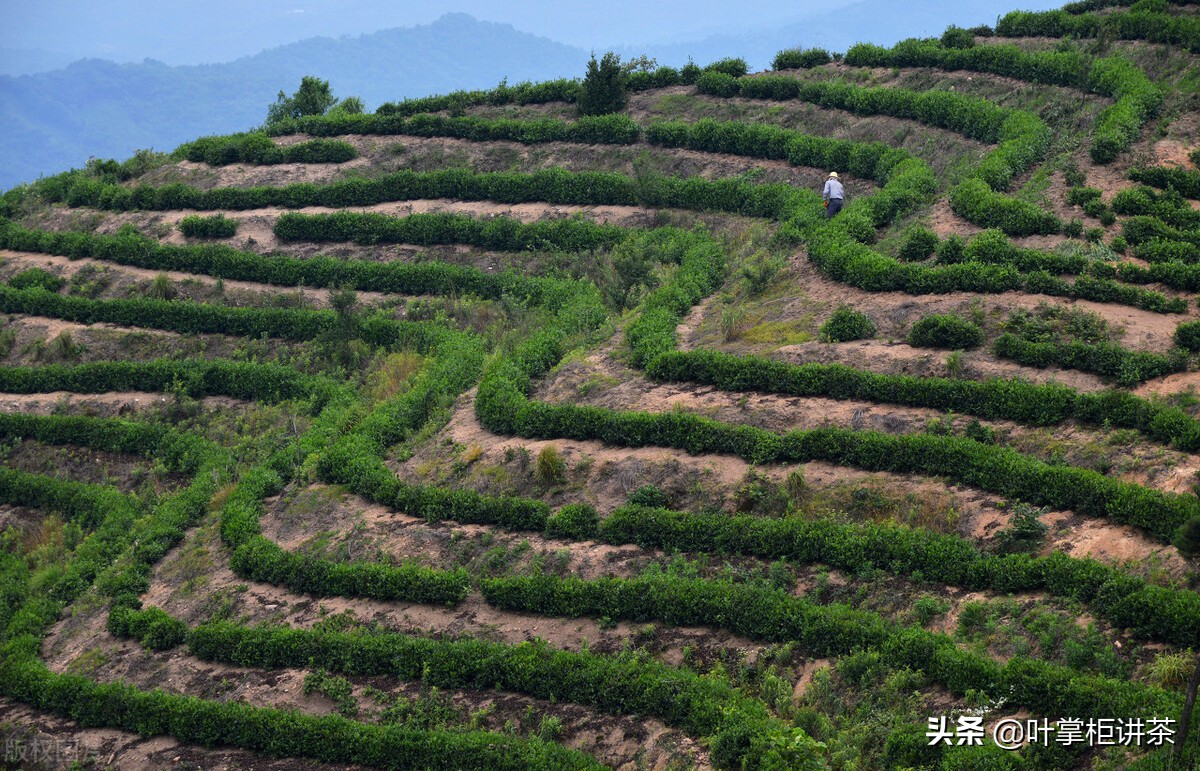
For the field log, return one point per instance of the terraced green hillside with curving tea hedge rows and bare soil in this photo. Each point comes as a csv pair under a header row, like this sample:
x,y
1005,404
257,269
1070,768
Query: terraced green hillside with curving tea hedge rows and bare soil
x,y
476,434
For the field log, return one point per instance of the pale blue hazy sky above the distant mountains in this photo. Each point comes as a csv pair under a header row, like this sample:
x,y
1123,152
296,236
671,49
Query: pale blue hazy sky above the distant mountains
x,y
178,32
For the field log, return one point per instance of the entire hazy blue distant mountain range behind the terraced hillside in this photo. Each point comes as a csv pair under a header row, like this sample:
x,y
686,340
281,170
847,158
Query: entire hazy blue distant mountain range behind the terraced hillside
x,y
57,121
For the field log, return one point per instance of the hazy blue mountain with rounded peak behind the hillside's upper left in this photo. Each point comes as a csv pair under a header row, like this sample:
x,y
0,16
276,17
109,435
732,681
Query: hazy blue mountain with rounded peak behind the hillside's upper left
x,y
56,121
